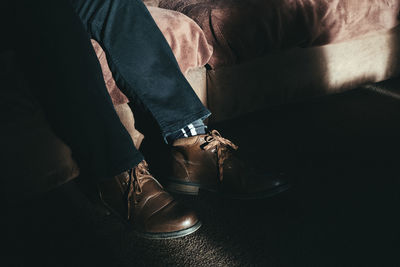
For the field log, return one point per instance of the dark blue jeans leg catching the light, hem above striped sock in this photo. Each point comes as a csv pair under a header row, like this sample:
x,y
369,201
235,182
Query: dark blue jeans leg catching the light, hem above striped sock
x,y
141,61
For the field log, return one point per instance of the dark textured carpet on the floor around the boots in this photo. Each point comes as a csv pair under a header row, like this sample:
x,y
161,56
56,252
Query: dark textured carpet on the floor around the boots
x,y
342,154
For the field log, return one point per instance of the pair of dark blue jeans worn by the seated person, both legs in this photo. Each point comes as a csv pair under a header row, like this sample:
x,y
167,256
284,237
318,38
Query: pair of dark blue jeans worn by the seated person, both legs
x,y
65,76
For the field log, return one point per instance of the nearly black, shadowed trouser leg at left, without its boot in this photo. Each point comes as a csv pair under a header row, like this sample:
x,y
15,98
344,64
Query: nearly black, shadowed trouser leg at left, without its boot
x,y
63,71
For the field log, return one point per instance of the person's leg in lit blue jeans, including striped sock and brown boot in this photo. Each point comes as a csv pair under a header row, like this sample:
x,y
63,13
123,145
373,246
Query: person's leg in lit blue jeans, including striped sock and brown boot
x,y
146,70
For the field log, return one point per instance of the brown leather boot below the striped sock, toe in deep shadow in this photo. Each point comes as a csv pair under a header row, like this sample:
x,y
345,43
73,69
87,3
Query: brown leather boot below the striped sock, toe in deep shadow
x,y
210,162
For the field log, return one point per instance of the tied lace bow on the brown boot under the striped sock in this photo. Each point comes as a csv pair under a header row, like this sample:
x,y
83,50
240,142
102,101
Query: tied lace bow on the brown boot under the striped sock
x,y
223,146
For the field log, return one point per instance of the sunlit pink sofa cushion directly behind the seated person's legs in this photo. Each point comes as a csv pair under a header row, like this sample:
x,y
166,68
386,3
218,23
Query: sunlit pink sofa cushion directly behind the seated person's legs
x,y
187,41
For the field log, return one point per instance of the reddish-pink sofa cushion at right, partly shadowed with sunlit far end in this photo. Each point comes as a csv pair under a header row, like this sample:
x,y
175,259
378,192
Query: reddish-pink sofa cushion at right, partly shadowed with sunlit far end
x,y
240,30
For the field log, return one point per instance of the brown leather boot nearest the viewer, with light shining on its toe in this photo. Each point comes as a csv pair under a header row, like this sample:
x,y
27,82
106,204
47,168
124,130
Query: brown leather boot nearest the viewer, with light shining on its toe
x,y
141,200
